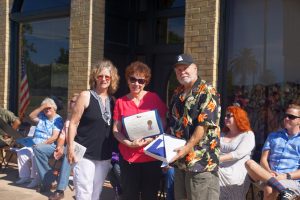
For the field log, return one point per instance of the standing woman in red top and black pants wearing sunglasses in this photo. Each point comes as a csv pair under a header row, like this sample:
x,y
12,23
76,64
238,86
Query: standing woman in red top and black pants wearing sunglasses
x,y
140,174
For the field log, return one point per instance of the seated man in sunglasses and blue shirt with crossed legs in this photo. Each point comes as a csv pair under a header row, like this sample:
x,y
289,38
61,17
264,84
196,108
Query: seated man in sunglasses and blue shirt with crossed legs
x,y
279,164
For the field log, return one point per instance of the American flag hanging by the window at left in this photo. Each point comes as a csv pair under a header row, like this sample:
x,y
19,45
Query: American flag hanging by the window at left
x,y
23,90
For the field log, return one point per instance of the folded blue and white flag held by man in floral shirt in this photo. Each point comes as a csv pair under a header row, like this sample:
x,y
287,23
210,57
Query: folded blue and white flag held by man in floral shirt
x,y
162,148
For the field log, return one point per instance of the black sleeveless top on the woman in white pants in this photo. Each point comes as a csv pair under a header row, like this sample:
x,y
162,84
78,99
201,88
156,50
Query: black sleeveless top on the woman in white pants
x,y
94,133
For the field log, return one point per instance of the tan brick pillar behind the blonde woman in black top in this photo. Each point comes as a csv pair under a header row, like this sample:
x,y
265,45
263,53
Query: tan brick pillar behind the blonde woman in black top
x,y
86,41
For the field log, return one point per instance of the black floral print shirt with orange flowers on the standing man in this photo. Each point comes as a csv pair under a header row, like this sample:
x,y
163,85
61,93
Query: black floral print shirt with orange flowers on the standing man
x,y
201,107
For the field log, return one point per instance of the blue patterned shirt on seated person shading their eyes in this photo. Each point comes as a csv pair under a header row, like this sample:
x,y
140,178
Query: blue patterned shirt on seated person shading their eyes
x,y
45,127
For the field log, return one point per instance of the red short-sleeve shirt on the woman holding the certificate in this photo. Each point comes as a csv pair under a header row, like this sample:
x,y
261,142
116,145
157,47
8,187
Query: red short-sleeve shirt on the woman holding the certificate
x,y
125,107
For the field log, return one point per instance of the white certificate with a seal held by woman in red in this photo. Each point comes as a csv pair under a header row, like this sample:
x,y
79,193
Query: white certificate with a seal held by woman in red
x,y
143,125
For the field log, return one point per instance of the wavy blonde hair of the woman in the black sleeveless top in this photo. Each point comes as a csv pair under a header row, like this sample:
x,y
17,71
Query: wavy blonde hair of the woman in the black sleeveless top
x,y
97,68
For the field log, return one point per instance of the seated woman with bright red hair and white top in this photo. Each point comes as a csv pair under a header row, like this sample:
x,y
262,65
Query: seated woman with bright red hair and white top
x,y
236,144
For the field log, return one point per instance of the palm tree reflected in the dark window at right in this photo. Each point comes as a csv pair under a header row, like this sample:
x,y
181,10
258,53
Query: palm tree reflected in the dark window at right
x,y
244,65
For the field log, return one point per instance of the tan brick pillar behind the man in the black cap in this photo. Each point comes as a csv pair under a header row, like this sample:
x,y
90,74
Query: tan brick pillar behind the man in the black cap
x,y
201,36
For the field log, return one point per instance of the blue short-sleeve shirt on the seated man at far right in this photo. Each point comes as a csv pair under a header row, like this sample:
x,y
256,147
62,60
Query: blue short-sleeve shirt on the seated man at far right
x,y
284,150
